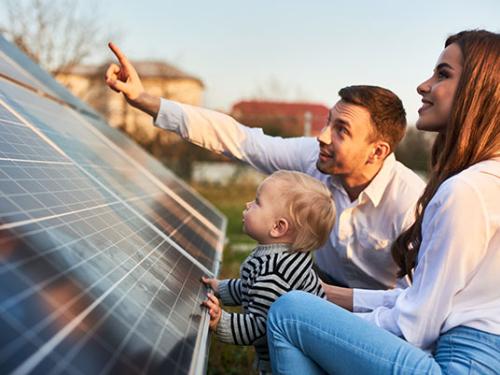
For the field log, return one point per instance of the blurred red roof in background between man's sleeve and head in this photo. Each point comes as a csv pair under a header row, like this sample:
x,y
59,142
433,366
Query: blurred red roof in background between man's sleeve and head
x,y
282,118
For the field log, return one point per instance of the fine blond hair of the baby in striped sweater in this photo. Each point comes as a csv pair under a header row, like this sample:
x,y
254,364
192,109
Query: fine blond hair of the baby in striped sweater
x,y
308,206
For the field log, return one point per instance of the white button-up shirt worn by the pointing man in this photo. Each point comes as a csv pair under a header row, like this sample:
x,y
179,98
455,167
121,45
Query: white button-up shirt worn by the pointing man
x,y
357,253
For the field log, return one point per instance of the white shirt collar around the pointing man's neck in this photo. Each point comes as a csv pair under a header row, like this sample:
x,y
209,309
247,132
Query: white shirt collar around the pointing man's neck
x,y
377,186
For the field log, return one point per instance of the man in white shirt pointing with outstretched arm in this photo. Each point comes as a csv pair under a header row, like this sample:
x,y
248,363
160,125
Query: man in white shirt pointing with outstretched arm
x,y
375,195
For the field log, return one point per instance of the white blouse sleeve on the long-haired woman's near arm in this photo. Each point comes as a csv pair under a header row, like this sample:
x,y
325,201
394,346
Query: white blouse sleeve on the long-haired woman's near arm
x,y
454,243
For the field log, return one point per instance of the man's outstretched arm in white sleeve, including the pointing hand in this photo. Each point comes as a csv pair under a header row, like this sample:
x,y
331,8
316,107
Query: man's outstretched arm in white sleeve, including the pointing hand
x,y
212,130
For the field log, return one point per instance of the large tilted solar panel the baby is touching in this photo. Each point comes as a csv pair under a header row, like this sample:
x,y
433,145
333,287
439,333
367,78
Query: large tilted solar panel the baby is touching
x,y
101,247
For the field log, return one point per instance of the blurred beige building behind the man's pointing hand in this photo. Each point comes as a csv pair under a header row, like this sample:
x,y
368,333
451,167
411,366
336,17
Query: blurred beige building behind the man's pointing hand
x,y
158,78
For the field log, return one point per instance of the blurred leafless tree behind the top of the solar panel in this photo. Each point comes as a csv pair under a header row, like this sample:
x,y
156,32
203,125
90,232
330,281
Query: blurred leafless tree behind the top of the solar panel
x,y
56,34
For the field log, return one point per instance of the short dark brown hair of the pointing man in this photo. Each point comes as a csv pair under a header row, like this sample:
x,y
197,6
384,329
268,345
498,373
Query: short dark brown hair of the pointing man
x,y
386,111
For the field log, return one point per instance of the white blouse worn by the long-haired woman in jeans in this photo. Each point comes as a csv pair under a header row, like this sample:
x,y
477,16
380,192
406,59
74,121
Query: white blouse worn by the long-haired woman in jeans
x,y
457,277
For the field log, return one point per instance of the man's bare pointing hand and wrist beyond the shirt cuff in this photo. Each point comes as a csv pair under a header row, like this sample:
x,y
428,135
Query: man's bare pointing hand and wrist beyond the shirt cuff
x,y
124,78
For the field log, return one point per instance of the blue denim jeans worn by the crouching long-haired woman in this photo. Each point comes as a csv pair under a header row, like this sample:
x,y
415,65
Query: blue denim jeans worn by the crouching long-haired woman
x,y
308,335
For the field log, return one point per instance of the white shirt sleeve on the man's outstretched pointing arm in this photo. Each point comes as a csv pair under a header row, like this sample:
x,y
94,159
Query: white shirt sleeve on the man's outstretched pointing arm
x,y
222,134
